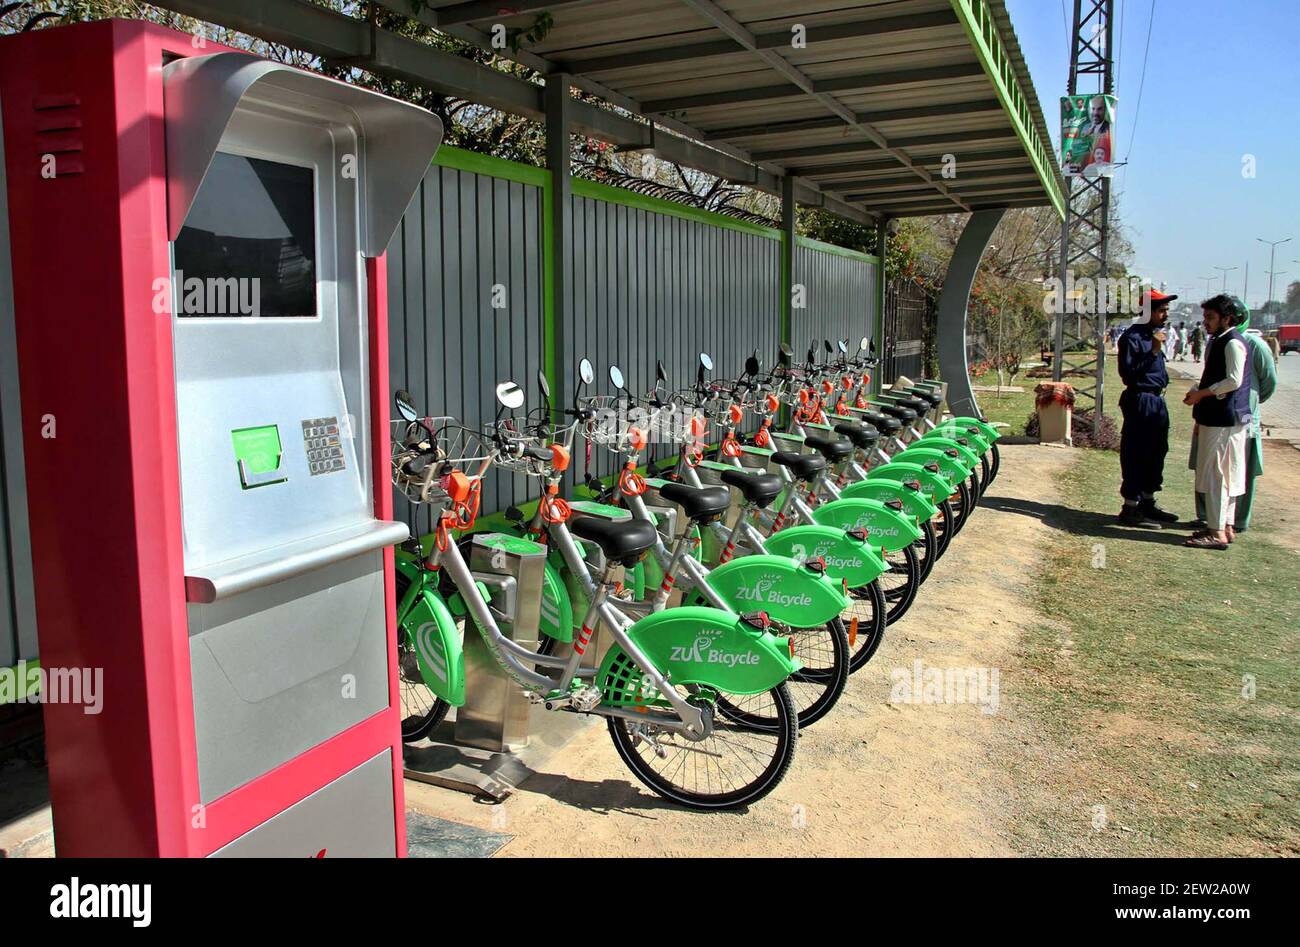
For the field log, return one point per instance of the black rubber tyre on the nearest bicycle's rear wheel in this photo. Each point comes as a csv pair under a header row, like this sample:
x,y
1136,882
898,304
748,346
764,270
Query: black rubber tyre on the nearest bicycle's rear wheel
x,y
777,745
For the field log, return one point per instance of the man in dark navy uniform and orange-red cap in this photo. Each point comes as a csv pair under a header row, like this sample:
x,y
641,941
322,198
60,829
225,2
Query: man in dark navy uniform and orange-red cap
x,y
1145,438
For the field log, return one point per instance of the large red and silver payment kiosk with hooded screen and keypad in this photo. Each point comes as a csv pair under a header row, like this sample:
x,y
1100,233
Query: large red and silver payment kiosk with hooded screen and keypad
x,y
196,244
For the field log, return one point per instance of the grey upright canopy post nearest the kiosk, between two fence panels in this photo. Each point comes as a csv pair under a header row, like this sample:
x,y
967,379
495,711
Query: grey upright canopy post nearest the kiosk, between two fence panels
x,y
558,237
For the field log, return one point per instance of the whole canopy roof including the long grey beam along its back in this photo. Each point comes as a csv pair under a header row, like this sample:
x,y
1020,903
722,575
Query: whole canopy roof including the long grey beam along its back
x,y
861,106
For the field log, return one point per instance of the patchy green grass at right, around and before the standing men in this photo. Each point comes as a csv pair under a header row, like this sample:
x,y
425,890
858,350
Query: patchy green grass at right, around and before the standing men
x,y
1138,680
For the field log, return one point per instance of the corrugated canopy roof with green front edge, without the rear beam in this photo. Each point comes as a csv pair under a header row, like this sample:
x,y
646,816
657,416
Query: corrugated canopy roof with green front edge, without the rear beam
x,y
866,107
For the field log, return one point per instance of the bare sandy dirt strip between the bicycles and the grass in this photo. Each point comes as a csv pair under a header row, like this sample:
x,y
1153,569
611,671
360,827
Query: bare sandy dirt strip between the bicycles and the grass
x,y
874,777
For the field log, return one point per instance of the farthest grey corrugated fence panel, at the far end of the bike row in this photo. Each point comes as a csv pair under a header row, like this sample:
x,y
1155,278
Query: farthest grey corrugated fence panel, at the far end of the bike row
x,y
842,299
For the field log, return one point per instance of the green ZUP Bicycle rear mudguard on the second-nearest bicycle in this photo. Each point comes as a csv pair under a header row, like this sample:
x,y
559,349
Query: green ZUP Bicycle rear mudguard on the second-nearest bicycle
x,y
790,593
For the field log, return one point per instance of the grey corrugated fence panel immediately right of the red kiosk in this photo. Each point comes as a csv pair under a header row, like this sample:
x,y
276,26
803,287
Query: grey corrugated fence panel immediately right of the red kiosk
x,y
462,235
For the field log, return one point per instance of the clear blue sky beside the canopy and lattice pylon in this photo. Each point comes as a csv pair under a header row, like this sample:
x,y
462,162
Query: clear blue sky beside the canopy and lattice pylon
x,y
1223,81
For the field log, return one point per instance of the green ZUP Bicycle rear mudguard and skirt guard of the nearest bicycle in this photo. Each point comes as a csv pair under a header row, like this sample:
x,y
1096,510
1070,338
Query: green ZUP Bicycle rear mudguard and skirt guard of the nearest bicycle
x,y
696,647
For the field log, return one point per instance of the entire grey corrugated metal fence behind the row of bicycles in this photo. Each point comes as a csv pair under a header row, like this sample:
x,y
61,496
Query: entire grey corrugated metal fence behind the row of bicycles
x,y
648,280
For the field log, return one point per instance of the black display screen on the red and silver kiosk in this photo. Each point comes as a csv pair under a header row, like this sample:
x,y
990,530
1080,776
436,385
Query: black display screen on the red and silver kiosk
x,y
249,244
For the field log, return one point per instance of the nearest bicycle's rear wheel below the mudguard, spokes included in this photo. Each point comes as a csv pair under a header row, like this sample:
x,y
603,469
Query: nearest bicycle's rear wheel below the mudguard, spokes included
x,y
736,766
